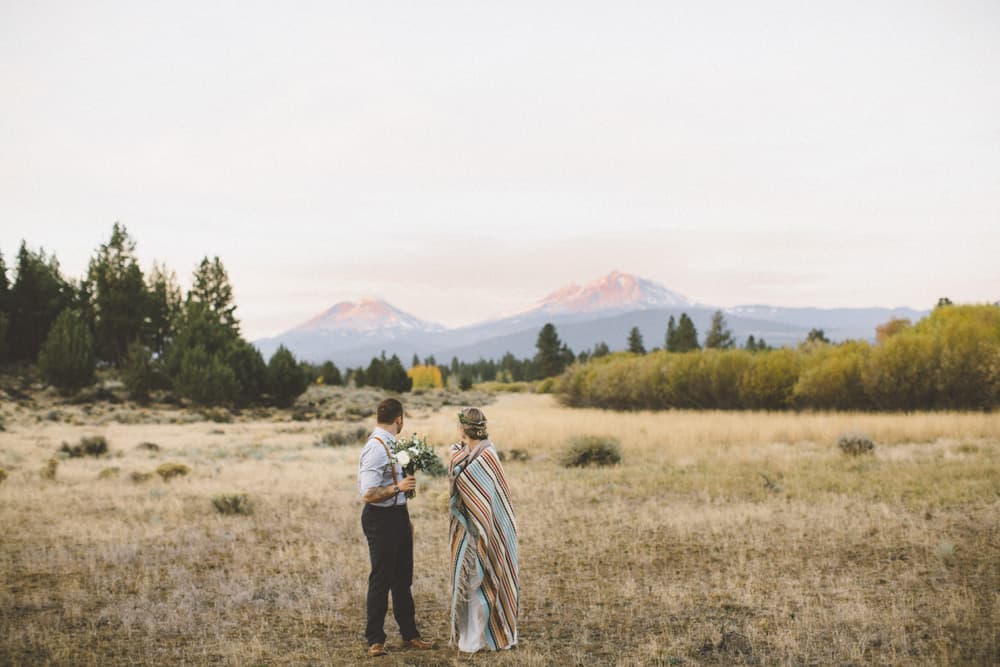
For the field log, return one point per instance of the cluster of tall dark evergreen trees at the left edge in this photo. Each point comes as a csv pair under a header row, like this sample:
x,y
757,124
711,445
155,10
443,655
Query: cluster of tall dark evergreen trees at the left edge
x,y
140,324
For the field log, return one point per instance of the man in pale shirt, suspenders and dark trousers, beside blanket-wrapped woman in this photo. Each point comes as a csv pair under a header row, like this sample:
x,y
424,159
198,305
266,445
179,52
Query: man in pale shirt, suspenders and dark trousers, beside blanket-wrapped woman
x,y
386,523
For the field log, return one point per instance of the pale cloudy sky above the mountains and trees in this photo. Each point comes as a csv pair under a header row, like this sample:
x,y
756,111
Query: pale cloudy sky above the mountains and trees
x,y
463,159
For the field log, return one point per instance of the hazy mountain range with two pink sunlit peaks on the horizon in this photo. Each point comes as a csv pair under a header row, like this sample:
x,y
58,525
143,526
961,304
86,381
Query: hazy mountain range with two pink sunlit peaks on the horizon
x,y
605,310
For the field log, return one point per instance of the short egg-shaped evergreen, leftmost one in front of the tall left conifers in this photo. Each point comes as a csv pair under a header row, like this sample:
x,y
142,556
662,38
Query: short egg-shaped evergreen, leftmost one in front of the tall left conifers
x,y
66,359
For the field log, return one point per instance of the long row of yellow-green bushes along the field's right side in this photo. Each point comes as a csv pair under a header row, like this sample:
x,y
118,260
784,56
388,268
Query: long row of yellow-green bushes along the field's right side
x,y
948,360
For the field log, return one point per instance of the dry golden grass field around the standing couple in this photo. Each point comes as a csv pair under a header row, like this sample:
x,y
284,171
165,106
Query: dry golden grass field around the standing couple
x,y
722,538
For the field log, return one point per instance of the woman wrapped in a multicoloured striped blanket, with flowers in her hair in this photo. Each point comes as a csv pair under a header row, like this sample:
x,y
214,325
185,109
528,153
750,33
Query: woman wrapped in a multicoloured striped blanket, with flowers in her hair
x,y
483,542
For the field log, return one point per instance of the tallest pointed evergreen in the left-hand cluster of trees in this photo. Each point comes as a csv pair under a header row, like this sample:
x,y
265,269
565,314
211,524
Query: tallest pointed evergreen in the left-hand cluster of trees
x,y
119,295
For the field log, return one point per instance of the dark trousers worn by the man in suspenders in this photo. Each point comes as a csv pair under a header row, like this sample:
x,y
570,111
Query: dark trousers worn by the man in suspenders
x,y
390,547
